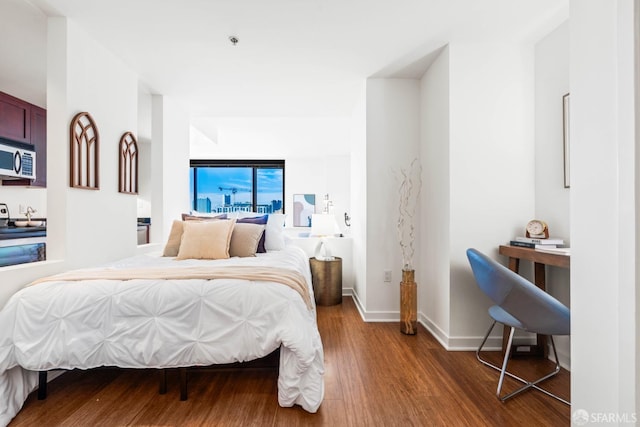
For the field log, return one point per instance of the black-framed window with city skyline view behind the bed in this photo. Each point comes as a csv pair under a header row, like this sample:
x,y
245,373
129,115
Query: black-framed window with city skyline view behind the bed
x,y
222,186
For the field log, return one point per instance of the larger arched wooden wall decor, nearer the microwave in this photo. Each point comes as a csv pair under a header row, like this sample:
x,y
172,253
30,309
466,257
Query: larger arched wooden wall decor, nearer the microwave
x,y
85,153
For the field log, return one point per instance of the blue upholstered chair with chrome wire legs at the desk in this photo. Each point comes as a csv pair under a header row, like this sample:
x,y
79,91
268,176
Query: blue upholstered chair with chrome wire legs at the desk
x,y
519,304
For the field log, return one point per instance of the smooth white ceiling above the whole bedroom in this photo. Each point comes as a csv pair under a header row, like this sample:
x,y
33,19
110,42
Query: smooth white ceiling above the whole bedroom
x,y
294,57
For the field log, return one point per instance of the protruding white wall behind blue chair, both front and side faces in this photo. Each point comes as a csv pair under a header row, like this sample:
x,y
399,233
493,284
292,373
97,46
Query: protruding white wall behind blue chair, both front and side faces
x,y
480,165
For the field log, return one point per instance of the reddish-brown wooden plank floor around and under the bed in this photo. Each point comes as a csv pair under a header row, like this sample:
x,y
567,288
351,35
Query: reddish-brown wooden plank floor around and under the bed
x,y
375,376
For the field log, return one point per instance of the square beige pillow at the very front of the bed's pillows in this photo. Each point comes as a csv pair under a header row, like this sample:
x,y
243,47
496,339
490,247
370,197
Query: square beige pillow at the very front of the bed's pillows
x,y
206,239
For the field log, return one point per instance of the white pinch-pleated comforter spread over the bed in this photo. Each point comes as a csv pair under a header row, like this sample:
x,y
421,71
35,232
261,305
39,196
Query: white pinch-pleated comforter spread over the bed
x,y
161,324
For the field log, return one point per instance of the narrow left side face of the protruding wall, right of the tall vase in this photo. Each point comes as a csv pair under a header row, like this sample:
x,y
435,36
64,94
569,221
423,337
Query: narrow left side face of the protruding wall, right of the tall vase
x,y
435,235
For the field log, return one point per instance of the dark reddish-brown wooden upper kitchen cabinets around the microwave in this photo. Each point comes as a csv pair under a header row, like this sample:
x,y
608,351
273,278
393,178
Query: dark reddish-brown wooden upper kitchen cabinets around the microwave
x,y
24,122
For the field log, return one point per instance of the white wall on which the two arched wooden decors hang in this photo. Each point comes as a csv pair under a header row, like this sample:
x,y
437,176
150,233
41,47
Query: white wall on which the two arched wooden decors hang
x,y
99,83
